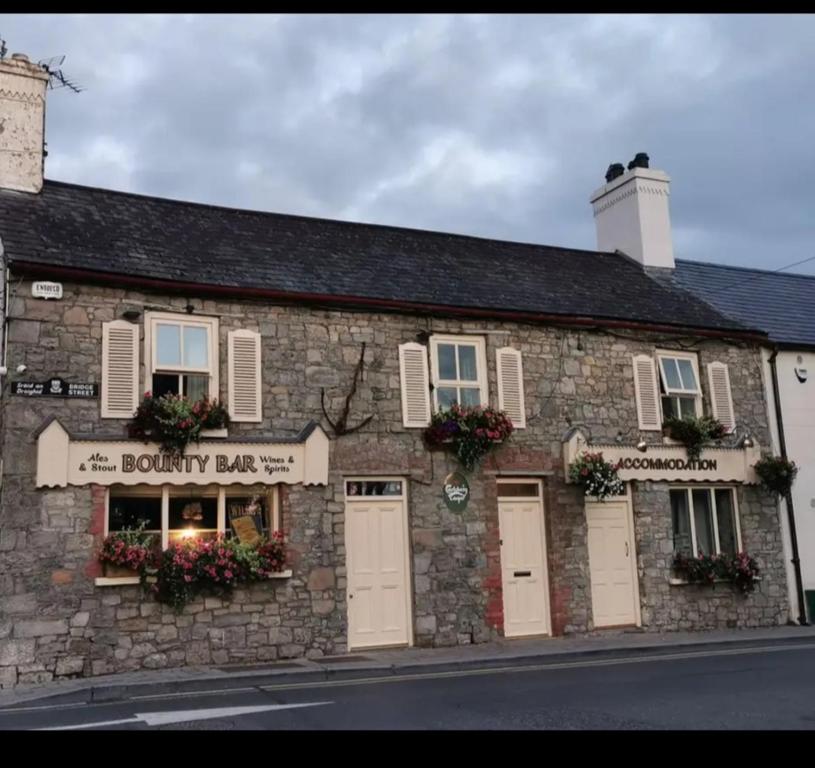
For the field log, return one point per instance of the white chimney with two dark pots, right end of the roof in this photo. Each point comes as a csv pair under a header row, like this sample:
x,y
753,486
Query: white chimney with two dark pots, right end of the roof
x,y
631,214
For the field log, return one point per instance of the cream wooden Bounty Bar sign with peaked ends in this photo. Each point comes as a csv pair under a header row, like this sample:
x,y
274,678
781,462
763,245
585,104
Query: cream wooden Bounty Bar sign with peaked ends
x,y
62,461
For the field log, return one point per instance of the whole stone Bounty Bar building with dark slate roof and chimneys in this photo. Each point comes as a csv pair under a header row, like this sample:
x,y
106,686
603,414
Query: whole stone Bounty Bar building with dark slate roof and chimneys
x,y
282,318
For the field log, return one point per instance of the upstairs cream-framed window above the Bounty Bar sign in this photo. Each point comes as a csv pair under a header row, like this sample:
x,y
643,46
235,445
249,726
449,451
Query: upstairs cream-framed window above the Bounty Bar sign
x,y
182,355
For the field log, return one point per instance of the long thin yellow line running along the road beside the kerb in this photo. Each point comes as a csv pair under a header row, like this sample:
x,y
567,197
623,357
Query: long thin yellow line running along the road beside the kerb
x,y
424,676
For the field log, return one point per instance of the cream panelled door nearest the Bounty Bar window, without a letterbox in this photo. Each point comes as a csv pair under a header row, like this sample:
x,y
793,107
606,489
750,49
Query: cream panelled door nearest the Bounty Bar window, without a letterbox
x,y
377,557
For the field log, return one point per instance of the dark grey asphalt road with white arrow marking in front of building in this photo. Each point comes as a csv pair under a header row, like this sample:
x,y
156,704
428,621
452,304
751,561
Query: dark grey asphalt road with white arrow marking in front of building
x,y
769,688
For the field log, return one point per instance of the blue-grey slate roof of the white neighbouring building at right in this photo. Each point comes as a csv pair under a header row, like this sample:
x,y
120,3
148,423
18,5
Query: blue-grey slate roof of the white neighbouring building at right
x,y
781,304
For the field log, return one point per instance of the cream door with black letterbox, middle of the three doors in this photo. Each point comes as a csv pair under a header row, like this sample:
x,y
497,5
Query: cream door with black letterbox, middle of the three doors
x,y
523,559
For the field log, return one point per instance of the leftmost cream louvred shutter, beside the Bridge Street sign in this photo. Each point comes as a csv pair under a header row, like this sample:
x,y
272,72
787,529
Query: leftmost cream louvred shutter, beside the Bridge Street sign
x,y
120,369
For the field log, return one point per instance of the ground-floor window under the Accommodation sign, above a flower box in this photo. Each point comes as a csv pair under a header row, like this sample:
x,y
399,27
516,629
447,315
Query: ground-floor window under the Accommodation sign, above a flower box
x,y
705,521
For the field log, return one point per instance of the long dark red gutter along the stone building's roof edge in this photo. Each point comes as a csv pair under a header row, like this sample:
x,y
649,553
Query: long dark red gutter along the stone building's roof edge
x,y
372,304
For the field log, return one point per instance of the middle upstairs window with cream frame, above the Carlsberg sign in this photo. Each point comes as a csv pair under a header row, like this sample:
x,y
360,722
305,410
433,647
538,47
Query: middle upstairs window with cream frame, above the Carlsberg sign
x,y
459,371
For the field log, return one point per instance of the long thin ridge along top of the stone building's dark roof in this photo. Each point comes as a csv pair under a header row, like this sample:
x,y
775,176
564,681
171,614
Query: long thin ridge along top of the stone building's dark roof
x,y
344,222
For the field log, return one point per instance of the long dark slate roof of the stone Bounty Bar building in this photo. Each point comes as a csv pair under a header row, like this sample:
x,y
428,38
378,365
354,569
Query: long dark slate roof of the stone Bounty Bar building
x,y
125,234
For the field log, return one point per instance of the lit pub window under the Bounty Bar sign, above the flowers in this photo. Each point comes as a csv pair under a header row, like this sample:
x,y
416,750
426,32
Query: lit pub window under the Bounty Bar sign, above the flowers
x,y
178,512
